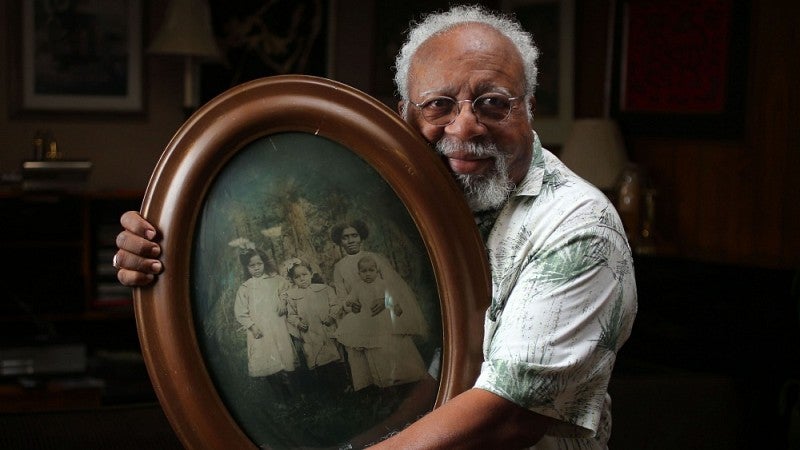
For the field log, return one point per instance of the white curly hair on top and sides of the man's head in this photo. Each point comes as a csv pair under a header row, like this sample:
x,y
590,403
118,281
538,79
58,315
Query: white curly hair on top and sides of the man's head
x,y
440,22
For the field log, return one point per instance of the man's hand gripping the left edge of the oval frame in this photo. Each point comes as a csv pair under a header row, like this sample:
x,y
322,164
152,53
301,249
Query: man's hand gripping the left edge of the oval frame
x,y
136,257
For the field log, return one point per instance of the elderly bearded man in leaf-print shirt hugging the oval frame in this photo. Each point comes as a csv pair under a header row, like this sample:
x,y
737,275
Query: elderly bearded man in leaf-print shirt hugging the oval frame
x,y
563,290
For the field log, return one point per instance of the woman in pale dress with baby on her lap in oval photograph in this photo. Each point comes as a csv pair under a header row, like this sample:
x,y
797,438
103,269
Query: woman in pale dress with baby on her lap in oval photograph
x,y
382,316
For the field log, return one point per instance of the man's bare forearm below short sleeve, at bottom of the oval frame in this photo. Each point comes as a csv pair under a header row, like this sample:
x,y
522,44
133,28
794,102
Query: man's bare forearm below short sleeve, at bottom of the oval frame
x,y
475,419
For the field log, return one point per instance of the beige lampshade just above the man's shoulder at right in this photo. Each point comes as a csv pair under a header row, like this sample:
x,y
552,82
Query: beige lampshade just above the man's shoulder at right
x,y
595,151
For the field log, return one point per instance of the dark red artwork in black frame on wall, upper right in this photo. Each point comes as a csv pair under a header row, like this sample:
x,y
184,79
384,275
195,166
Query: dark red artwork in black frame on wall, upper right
x,y
679,69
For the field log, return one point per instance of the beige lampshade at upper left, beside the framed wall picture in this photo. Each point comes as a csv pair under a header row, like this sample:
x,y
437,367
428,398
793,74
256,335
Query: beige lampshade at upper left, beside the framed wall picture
x,y
187,31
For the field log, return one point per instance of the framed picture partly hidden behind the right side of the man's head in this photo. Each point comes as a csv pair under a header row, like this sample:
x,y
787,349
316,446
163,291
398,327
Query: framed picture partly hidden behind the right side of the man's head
x,y
552,23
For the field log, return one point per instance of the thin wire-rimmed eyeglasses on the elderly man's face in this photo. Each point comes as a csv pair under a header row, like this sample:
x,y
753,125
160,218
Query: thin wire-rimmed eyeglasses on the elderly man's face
x,y
488,108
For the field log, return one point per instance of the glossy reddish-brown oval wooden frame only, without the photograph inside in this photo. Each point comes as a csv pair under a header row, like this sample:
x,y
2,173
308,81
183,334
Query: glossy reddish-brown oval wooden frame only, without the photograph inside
x,y
208,149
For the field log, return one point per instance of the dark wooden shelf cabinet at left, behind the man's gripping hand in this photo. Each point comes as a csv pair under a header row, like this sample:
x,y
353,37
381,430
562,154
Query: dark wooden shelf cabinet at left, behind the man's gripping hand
x,y
66,324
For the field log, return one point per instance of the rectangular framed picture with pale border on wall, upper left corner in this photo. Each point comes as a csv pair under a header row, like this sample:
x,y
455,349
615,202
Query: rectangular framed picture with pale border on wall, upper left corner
x,y
79,57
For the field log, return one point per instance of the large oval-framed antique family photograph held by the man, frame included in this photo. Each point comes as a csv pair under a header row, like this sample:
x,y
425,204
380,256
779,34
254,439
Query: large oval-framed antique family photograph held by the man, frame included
x,y
324,282
